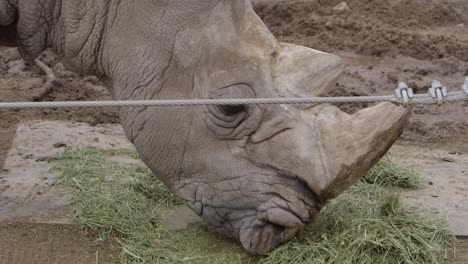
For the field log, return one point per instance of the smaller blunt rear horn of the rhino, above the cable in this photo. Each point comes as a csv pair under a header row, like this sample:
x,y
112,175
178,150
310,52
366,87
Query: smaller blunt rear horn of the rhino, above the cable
x,y
304,72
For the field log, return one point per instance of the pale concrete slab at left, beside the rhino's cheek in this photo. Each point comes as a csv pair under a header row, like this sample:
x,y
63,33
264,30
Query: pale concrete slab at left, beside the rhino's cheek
x,y
28,189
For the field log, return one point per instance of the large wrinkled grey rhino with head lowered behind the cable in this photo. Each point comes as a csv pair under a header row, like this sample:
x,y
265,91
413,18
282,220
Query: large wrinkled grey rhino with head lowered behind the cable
x,y
257,174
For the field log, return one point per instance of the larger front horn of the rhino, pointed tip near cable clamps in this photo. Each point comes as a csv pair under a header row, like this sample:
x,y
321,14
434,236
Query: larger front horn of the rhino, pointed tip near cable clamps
x,y
347,146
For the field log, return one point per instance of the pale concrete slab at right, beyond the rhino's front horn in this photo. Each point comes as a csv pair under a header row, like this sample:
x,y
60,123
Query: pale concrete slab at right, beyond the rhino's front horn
x,y
446,175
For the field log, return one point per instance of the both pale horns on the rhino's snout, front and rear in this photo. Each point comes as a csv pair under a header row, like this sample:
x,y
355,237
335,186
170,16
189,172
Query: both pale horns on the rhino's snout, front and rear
x,y
339,148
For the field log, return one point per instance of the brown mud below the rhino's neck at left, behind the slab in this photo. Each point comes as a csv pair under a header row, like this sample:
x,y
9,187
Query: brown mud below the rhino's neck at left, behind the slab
x,y
20,81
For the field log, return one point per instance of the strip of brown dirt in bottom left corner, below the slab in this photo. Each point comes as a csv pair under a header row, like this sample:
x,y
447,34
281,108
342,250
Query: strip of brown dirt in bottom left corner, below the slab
x,y
23,243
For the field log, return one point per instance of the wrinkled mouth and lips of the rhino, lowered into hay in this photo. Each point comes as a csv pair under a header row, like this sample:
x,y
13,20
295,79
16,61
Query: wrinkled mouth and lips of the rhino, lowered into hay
x,y
272,207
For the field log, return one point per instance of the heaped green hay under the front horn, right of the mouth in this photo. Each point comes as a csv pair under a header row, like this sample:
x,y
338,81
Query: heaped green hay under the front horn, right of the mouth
x,y
368,224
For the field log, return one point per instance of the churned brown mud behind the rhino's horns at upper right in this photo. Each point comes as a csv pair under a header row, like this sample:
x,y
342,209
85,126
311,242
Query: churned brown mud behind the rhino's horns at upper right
x,y
384,42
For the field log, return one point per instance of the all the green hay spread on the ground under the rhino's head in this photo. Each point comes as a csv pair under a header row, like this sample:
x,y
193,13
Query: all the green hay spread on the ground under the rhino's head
x,y
367,224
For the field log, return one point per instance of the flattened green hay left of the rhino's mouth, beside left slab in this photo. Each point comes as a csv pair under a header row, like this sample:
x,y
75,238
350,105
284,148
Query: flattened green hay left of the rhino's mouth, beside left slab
x,y
126,200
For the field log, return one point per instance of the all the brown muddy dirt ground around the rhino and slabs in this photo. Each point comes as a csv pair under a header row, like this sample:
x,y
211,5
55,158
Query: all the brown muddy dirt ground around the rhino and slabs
x,y
382,41
